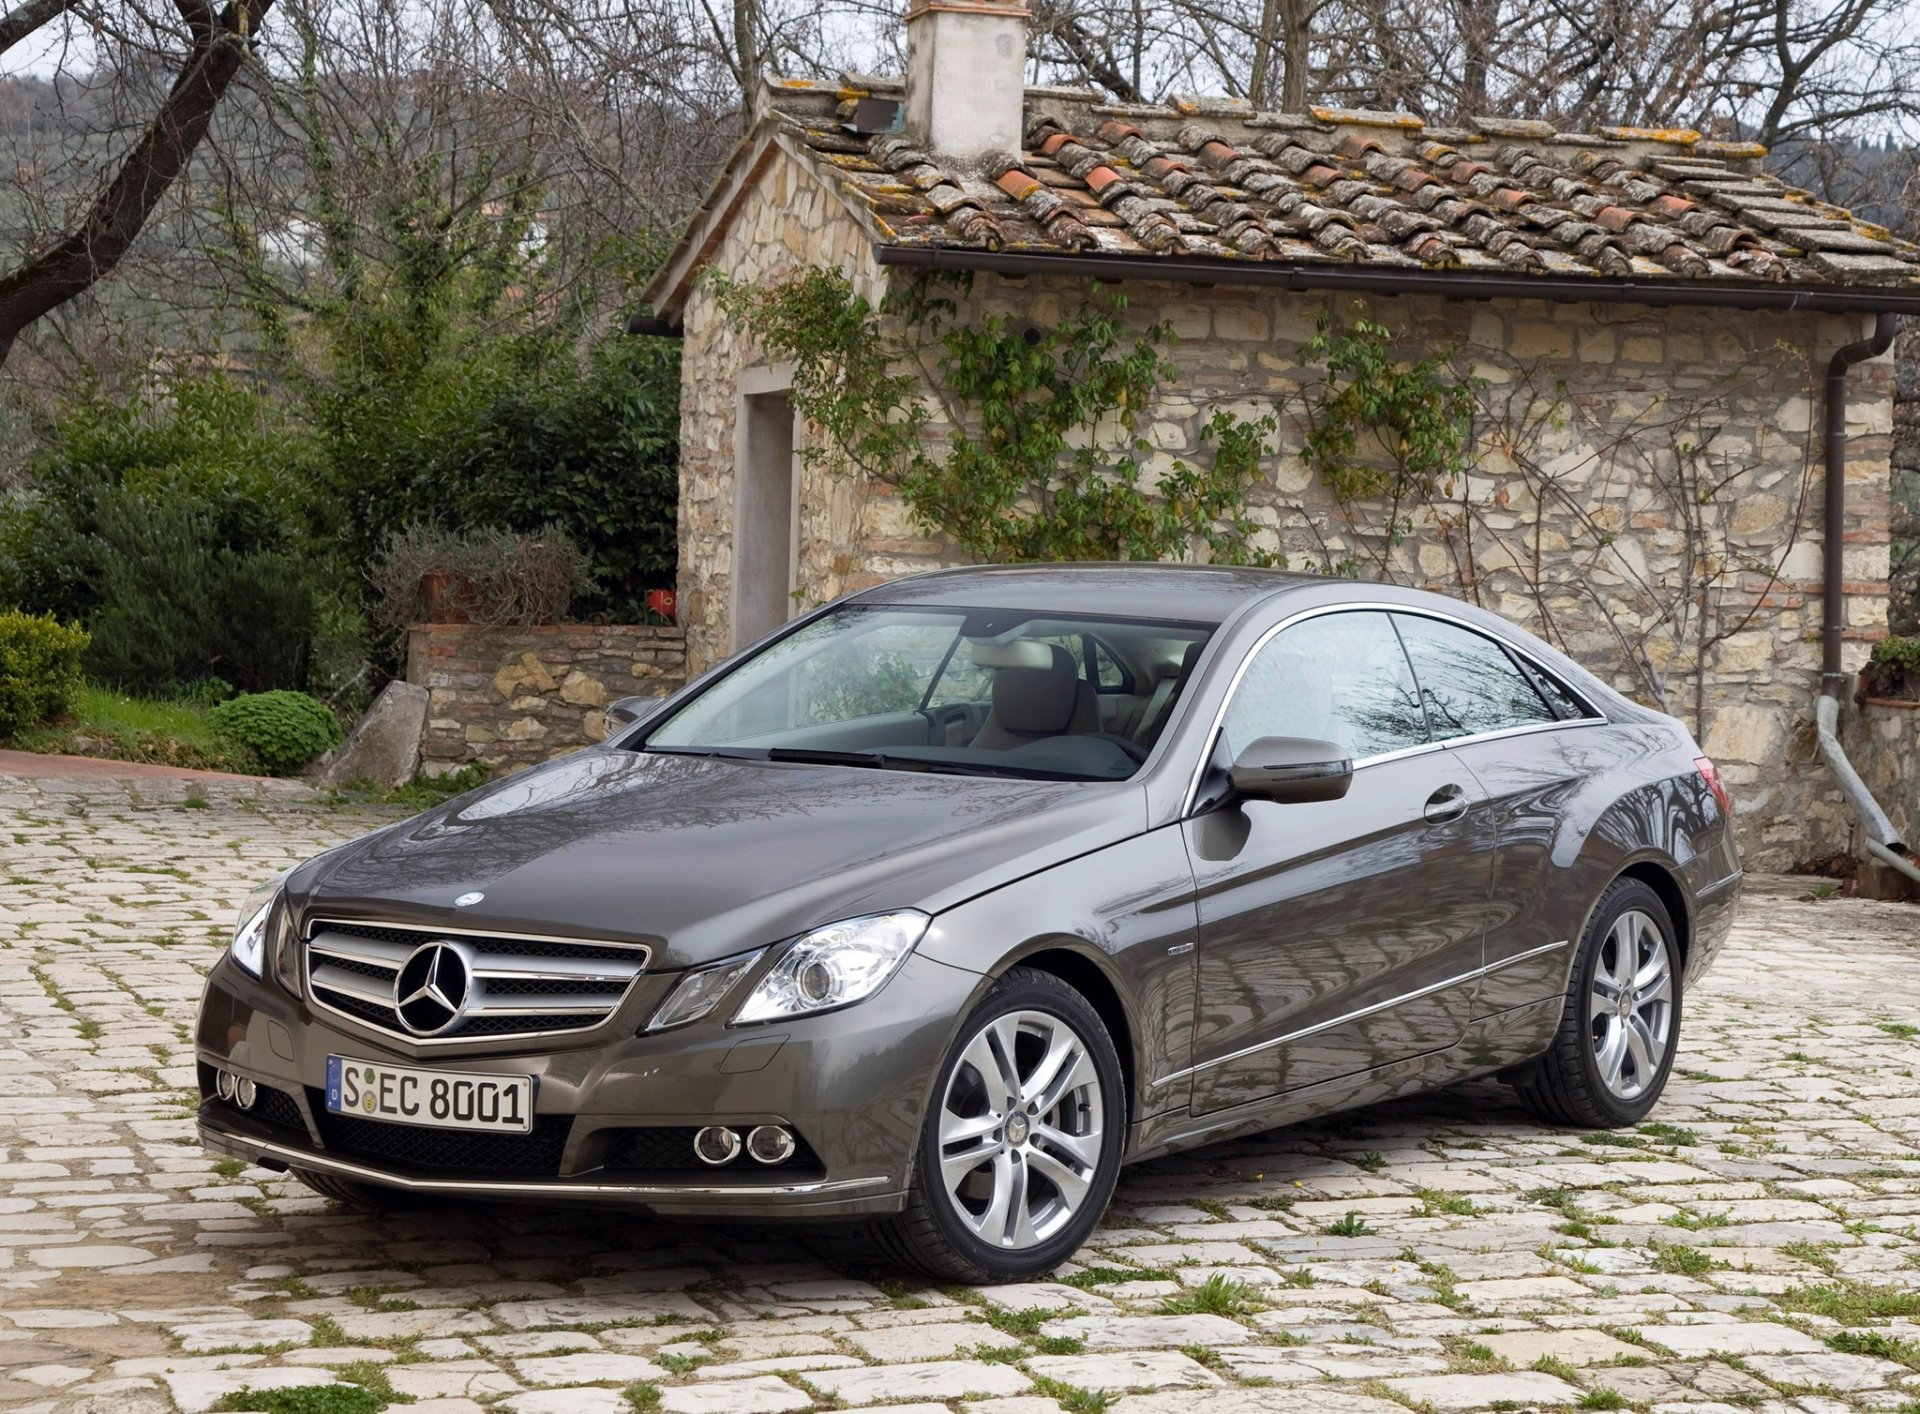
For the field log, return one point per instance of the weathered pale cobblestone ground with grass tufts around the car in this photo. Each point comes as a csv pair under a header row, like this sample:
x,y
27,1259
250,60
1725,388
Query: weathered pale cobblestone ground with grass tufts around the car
x,y
1756,1248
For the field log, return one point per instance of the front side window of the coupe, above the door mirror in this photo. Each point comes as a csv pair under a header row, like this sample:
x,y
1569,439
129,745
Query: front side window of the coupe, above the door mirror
x,y
1341,677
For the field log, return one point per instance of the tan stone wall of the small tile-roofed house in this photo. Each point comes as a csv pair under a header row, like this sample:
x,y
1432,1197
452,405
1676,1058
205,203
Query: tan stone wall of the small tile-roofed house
x,y
1646,491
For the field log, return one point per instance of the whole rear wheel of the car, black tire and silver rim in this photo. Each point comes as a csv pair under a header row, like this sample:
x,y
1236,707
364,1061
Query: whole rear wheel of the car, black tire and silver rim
x,y
1612,1058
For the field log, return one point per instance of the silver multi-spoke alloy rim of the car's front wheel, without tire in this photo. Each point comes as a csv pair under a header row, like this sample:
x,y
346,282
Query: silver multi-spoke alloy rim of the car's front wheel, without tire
x,y
1020,1129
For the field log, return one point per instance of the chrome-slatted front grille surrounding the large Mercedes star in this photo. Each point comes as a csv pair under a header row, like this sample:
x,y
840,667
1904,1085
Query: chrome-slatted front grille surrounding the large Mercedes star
x,y
516,987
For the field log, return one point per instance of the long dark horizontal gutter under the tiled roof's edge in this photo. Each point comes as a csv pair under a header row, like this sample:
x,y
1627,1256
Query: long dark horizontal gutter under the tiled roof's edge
x,y
1452,285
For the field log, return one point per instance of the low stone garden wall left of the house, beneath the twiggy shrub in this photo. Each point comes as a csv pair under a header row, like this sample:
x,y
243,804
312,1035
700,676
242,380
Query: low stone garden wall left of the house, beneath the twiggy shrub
x,y
517,696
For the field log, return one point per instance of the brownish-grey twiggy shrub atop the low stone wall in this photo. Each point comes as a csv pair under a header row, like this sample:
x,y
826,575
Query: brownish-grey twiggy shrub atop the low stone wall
x,y
498,577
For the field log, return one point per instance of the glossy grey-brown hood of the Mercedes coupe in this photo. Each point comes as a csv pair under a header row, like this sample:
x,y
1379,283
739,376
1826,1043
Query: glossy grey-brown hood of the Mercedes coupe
x,y
704,858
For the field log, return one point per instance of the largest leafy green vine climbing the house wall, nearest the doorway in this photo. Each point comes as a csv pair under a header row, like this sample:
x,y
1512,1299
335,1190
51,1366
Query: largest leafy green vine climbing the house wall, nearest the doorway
x,y
1044,454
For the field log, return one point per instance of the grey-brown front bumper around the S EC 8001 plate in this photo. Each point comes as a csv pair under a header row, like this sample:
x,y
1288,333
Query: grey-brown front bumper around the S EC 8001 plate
x,y
613,1113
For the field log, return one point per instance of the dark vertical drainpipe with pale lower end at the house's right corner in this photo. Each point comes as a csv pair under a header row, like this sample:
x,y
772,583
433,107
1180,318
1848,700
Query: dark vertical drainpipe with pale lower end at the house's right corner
x,y
1883,841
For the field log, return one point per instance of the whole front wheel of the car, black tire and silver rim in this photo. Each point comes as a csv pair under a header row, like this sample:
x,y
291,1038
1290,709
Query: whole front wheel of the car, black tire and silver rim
x,y
1055,1192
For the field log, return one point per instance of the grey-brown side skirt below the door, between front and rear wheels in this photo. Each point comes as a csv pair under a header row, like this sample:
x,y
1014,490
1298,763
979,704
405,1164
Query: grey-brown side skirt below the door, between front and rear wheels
x,y
1493,1044
